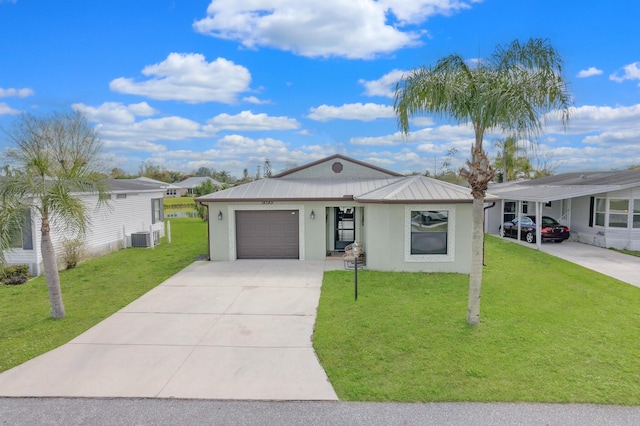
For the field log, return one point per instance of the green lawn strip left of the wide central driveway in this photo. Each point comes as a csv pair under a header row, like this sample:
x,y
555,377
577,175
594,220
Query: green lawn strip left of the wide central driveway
x,y
91,292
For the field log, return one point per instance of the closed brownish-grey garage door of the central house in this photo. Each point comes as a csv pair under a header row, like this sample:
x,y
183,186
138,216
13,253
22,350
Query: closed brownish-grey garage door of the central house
x,y
267,234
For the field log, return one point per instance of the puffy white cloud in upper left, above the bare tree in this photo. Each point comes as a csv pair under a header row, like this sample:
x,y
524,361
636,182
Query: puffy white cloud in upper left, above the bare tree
x,y
190,78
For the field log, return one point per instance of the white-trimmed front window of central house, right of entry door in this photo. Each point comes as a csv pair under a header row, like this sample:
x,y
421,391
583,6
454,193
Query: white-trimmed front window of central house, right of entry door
x,y
429,229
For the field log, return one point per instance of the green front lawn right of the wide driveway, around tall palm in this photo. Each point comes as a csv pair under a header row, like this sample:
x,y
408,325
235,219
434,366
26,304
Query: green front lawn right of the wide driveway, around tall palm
x,y
550,331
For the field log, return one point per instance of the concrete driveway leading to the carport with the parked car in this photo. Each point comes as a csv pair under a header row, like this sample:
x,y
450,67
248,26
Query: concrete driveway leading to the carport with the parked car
x,y
621,266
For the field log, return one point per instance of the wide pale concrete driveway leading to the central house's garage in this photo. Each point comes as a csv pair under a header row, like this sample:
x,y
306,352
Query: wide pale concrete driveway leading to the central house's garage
x,y
216,330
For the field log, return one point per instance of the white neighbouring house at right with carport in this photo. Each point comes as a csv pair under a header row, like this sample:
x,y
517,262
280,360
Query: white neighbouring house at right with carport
x,y
600,208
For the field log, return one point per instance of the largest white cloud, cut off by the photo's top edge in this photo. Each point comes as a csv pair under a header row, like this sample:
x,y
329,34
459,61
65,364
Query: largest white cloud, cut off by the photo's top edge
x,y
323,28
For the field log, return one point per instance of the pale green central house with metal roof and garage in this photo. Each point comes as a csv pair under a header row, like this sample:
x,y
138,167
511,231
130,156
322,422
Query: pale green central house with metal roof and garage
x,y
406,223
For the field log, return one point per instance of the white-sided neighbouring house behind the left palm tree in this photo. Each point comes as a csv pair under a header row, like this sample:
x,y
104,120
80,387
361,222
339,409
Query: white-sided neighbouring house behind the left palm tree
x,y
134,207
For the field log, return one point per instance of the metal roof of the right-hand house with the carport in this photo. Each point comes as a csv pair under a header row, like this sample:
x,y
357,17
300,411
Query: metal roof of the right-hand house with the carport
x,y
566,185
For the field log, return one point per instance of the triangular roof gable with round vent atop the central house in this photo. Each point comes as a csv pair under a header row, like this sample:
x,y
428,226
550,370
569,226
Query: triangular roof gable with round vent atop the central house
x,y
339,167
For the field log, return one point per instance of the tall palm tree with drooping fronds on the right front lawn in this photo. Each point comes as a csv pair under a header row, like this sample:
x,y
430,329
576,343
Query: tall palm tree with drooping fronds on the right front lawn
x,y
508,91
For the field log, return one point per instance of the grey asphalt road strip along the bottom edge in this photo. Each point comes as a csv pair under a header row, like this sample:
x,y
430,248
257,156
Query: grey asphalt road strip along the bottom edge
x,y
84,411
